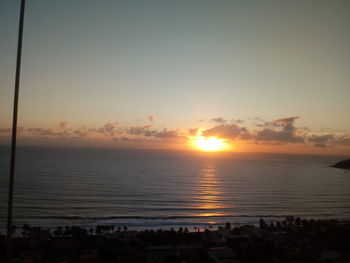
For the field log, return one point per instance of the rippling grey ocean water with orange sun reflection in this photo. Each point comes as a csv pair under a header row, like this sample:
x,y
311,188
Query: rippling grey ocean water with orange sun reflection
x,y
163,189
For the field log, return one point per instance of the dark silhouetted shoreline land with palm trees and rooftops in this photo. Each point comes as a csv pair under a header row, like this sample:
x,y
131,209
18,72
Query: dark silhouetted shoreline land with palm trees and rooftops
x,y
292,240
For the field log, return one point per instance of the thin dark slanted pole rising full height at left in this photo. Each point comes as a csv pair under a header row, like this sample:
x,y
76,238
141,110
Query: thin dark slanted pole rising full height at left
x,y
14,135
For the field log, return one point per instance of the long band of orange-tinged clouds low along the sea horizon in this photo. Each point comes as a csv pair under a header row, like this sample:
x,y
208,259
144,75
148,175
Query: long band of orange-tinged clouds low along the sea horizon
x,y
278,131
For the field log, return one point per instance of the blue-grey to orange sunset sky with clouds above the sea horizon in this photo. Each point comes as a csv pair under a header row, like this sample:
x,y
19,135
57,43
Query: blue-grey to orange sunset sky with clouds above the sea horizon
x,y
261,75
